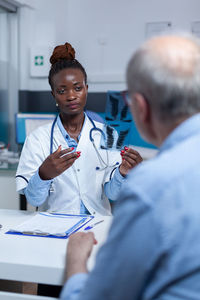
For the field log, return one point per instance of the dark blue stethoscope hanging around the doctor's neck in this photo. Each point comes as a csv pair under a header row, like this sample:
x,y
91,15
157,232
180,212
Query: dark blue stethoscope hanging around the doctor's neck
x,y
92,130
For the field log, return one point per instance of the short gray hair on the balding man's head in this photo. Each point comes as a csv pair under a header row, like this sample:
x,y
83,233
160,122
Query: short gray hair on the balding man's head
x,y
172,90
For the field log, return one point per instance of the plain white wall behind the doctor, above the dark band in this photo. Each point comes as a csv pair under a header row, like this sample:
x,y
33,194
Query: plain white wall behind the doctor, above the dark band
x,y
104,33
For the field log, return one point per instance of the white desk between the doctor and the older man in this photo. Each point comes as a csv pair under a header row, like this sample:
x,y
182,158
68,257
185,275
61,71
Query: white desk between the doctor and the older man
x,y
37,259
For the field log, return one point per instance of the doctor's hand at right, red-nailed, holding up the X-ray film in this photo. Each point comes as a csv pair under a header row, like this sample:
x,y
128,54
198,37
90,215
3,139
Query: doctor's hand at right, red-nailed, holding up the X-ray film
x,y
130,159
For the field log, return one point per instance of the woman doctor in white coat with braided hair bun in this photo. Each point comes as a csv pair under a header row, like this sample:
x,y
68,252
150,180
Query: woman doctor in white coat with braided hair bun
x,y
62,167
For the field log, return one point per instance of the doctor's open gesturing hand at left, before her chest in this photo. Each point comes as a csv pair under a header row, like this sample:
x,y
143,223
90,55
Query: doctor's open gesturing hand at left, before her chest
x,y
57,162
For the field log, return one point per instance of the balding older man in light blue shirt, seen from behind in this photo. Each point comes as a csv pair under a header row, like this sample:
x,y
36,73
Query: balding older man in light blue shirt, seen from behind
x,y
153,248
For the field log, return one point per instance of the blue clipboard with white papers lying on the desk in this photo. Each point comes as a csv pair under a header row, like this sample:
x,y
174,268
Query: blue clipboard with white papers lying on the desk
x,y
54,225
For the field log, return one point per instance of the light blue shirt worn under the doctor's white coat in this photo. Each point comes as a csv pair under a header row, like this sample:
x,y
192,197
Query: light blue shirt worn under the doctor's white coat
x,y
111,188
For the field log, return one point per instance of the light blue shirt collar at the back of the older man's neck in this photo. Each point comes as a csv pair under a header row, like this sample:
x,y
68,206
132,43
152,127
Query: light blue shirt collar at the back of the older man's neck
x,y
186,129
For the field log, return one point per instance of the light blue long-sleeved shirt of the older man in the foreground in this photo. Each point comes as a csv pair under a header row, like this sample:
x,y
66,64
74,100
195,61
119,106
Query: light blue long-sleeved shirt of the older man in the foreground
x,y
153,248
